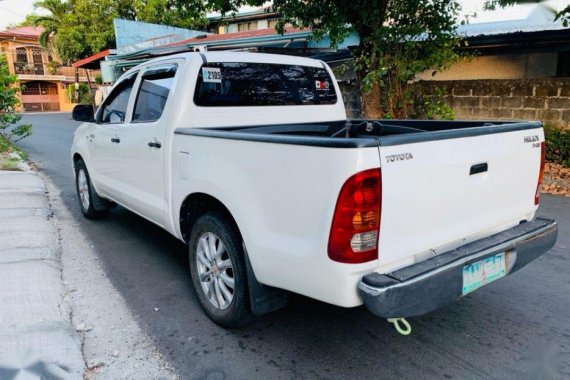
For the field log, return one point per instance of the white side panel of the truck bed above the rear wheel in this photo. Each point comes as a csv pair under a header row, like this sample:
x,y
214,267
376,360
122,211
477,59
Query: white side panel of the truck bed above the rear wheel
x,y
282,198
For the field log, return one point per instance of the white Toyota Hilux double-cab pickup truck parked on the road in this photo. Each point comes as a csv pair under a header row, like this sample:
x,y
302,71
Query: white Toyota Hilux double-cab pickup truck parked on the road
x,y
250,159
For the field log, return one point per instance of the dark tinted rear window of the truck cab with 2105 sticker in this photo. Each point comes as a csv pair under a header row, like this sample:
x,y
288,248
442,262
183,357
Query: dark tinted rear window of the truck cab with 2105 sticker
x,y
260,84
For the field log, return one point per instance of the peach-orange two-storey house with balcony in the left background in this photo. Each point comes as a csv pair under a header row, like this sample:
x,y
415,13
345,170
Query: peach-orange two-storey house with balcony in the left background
x,y
43,79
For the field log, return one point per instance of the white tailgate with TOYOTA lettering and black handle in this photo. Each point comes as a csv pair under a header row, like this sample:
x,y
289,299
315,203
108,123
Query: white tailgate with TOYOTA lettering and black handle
x,y
444,192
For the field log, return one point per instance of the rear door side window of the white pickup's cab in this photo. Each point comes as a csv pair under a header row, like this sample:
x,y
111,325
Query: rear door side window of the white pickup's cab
x,y
156,84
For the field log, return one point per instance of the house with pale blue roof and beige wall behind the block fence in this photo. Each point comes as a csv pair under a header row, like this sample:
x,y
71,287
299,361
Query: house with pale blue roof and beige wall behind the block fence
x,y
528,45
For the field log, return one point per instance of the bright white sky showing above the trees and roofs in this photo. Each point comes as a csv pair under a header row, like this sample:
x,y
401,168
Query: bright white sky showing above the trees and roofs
x,y
14,11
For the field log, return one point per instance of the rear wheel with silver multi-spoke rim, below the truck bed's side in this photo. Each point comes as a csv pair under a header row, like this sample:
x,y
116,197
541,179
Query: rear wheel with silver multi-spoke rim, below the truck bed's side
x,y
218,271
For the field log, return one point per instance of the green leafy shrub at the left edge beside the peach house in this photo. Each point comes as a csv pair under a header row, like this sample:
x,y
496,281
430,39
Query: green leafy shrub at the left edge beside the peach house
x,y
8,102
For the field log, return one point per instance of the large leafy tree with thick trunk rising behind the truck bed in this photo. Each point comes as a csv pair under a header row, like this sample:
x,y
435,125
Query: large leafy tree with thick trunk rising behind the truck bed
x,y
398,39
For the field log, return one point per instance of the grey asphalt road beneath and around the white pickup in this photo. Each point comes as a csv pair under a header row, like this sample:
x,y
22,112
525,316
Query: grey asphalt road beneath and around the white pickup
x,y
516,328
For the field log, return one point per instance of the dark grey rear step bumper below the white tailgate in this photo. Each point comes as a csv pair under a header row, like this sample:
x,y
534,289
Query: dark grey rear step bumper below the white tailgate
x,y
428,285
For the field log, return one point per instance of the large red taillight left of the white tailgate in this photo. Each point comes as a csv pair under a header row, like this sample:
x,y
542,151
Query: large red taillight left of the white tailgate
x,y
356,222
